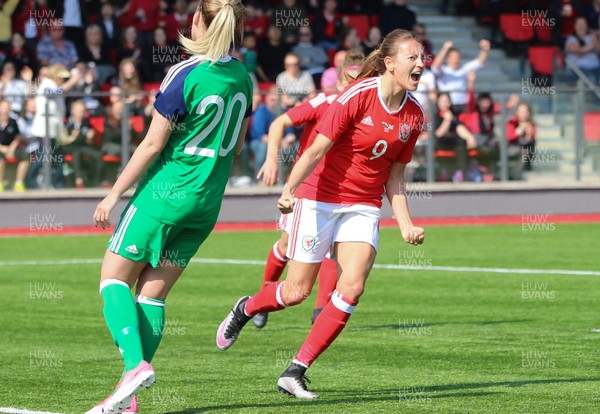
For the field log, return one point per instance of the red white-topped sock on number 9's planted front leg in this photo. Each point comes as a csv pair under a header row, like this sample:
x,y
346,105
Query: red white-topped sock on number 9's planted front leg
x,y
326,328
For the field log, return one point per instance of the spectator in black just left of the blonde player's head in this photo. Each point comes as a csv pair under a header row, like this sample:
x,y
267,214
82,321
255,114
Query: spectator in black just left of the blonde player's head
x,y
159,57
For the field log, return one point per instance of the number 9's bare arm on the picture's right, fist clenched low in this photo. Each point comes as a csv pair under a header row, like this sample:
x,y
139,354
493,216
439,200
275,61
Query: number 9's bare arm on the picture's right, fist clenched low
x,y
396,193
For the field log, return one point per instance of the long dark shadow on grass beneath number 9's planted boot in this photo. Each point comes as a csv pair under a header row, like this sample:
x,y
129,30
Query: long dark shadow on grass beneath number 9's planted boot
x,y
359,397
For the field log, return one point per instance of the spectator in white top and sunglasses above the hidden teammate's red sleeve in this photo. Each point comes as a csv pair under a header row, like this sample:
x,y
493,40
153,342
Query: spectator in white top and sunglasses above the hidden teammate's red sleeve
x,y
294,83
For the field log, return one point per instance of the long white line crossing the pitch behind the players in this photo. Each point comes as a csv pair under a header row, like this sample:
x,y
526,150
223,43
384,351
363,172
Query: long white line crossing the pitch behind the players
x,y
460,269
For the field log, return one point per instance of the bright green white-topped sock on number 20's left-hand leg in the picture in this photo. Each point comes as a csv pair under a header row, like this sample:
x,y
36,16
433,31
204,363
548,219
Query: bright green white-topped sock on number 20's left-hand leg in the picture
x,y
122,320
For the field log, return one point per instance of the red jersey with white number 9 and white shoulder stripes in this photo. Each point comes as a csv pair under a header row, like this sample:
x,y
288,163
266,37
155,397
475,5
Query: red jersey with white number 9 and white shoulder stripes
x,y
368,139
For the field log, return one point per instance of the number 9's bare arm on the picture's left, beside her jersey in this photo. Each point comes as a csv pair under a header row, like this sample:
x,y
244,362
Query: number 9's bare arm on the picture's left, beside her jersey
x,y
304,166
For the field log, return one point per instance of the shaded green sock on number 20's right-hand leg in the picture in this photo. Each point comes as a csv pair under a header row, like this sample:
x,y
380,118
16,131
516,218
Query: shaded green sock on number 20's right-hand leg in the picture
x,y
151,313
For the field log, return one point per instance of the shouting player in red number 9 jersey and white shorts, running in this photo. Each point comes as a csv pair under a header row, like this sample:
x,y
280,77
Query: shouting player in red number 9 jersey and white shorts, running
x,y
364,143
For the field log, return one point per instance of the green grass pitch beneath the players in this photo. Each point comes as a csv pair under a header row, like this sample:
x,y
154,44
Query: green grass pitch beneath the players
x,y
421,341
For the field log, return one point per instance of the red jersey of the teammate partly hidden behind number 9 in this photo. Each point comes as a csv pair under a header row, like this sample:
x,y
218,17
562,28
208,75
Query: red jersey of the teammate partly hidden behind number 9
x,y
309,113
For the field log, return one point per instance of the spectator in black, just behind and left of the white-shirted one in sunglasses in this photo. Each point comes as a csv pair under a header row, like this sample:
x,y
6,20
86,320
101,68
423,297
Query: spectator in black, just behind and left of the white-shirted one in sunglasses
x,y
271,53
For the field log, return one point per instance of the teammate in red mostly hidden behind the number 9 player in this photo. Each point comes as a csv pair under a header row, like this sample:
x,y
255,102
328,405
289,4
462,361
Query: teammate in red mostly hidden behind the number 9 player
x,y
307,113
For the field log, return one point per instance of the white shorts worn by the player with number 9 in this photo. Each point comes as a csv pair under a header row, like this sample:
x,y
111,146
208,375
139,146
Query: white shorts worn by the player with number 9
x,y
317,226
